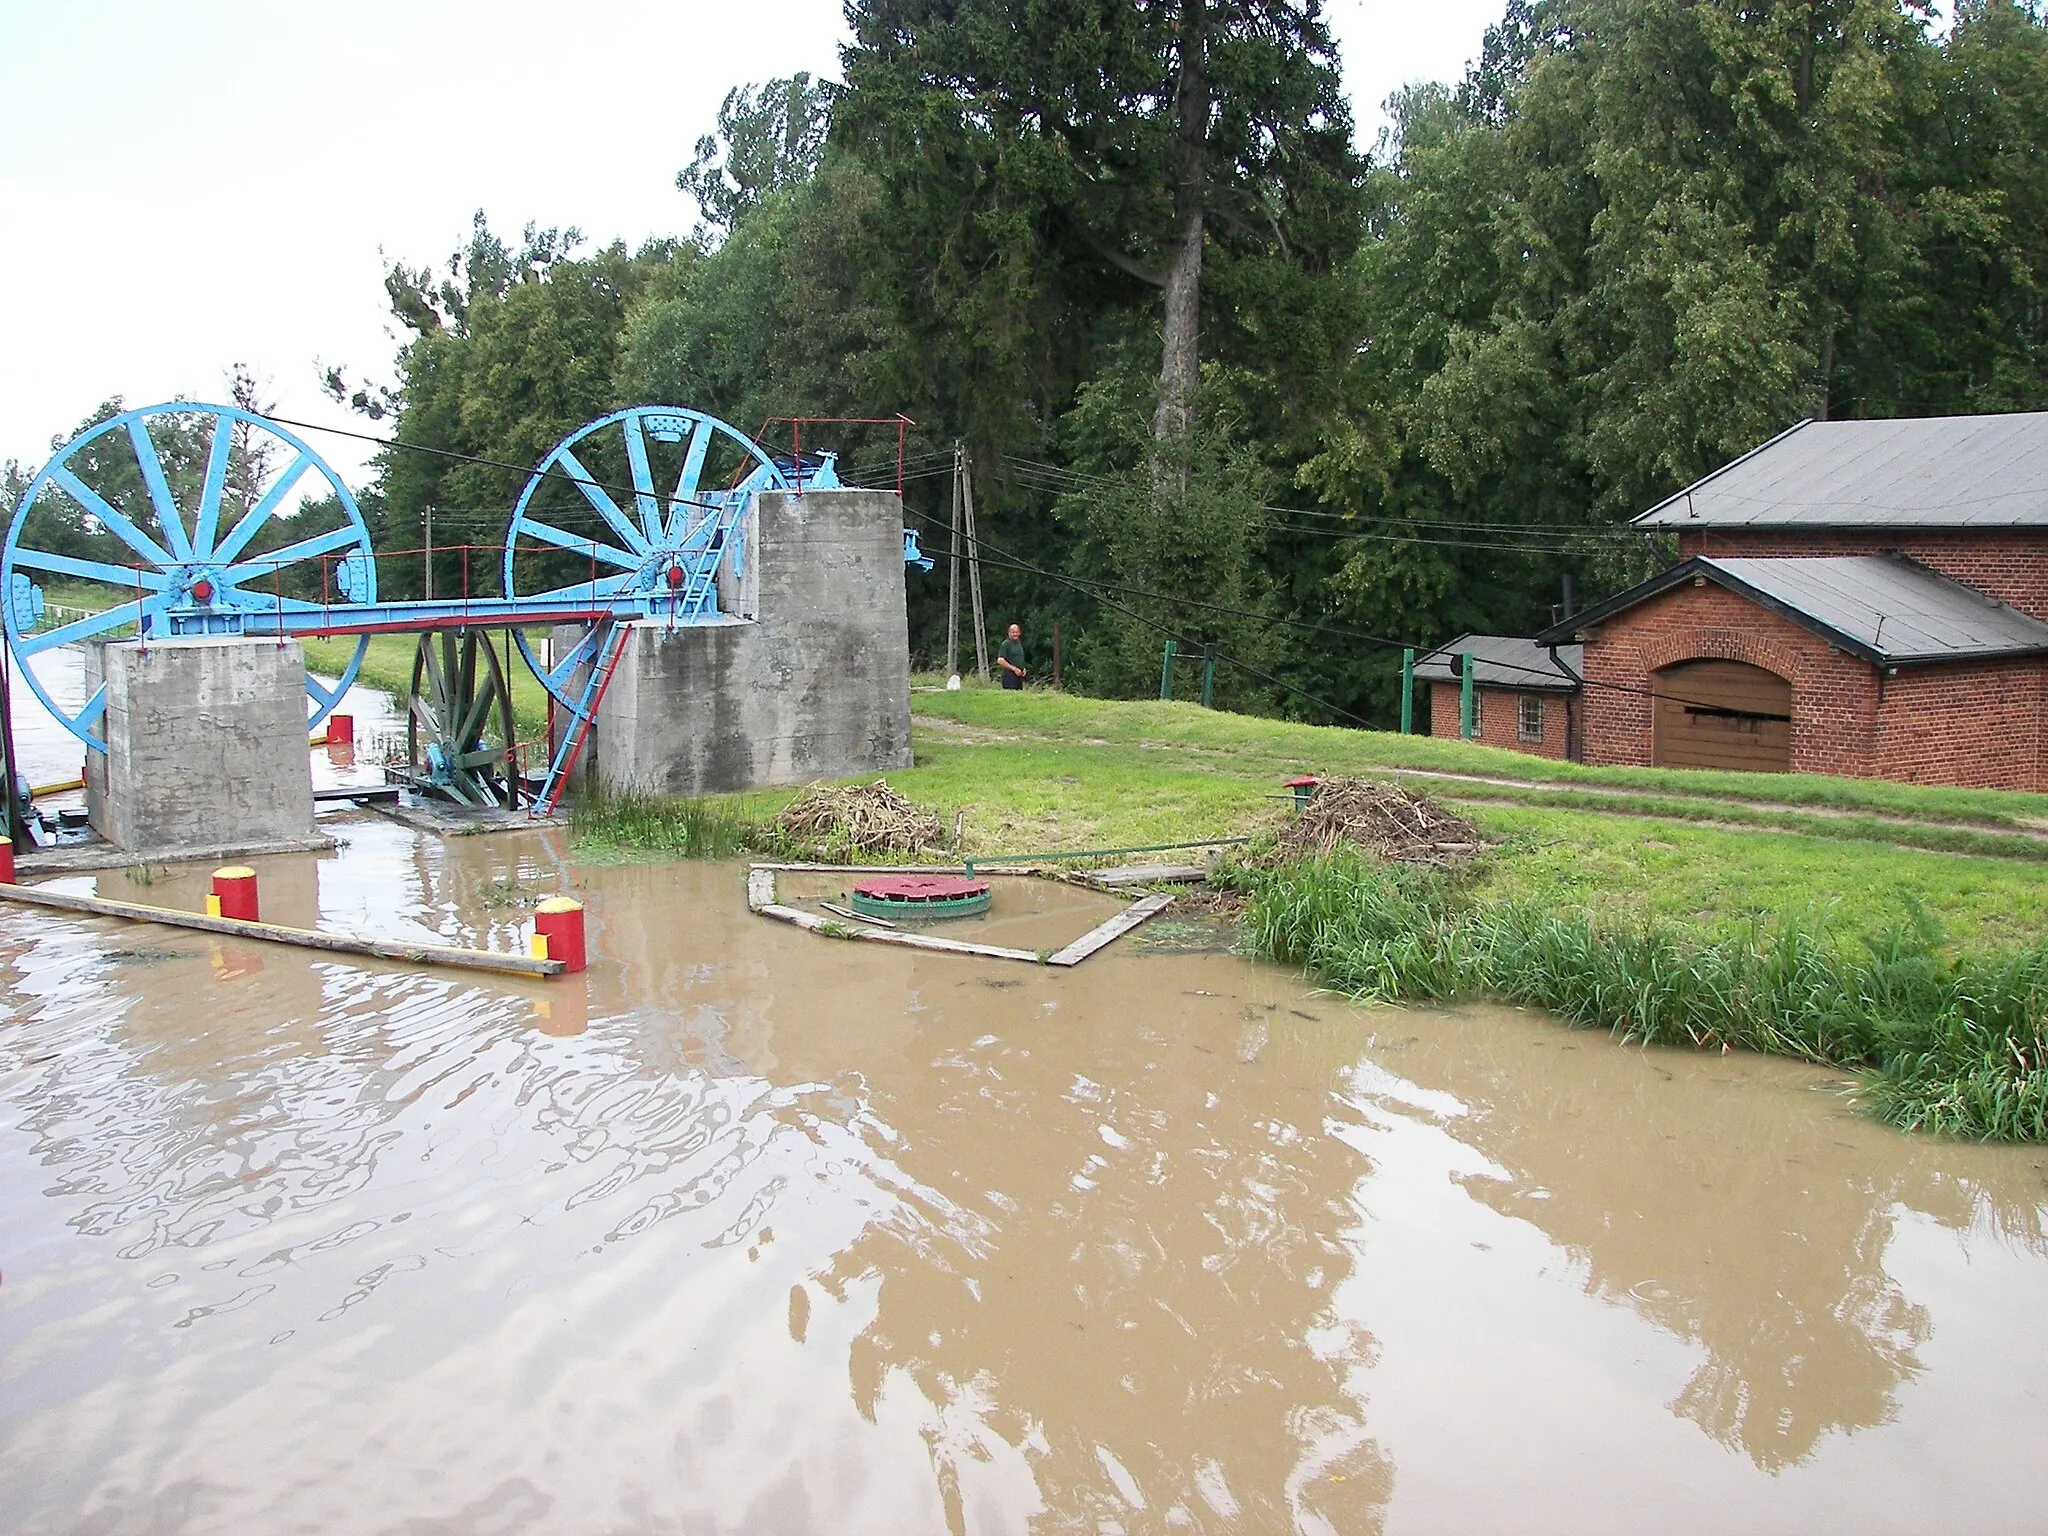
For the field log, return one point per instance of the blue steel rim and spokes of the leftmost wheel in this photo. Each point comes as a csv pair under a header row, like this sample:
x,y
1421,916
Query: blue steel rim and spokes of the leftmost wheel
x,y
189,577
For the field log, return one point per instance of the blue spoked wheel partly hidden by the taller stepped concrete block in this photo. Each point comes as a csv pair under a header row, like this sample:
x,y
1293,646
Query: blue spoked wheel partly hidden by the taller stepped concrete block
x,y
644,503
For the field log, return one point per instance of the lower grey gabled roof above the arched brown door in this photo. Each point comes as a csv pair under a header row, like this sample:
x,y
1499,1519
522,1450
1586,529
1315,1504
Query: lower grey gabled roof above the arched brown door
x,y
1885,609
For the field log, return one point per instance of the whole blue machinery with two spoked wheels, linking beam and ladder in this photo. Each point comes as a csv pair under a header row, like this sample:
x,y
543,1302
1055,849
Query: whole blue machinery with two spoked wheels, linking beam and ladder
x,y
187,521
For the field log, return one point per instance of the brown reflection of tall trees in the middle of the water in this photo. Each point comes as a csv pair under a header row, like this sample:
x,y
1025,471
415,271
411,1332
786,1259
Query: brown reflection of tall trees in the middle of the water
x,y
1132,1277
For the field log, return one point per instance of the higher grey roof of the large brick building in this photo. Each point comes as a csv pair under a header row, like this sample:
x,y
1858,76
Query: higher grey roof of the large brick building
x,y
1936,472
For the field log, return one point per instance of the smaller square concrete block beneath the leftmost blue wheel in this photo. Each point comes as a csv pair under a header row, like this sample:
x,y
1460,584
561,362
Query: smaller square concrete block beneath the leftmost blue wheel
x,y
206,749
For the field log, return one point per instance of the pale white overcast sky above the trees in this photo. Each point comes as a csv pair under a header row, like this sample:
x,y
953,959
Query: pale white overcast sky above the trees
x,y
194,185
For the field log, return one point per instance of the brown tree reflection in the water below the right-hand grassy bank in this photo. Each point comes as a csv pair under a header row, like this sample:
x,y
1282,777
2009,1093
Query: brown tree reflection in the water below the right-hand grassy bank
x,y
1713,1199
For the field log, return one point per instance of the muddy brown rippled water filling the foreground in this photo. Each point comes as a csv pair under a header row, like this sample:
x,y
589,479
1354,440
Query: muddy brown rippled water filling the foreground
x,y
761,1232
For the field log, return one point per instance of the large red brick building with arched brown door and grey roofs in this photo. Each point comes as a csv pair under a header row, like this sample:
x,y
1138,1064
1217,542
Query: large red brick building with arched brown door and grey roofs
x,y
1859,599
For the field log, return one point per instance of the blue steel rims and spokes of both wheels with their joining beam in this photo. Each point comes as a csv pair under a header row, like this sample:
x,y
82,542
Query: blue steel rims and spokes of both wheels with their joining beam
x,y
663,558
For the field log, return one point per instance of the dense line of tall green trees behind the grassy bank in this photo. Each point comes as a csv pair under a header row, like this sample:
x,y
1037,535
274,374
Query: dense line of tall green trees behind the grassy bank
x,y
1232,380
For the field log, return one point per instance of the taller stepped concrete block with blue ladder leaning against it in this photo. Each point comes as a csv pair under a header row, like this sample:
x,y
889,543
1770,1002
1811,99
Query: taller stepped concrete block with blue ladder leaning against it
x,y
814,687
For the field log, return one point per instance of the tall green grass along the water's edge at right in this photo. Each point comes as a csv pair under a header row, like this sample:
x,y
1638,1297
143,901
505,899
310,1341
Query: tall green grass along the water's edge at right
x,y
1949,1043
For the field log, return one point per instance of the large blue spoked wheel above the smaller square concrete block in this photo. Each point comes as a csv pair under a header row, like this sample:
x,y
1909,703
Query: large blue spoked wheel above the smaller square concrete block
x,y
175,521
